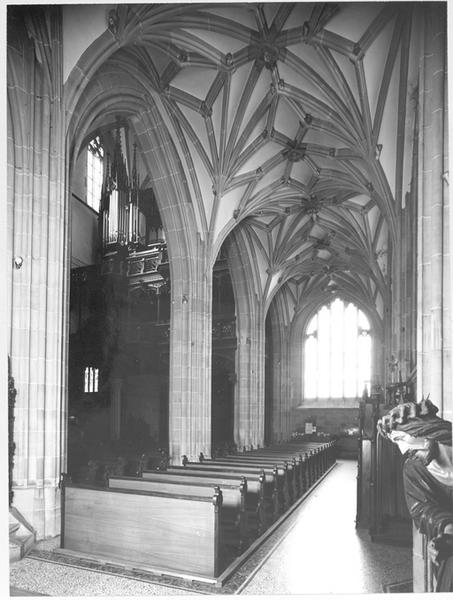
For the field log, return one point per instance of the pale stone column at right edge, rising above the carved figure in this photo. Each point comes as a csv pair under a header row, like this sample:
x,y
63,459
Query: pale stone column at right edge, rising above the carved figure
x,y
434,355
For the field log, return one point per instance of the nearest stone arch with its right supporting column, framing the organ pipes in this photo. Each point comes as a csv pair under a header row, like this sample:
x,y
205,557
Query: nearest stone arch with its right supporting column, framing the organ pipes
x,y
191,275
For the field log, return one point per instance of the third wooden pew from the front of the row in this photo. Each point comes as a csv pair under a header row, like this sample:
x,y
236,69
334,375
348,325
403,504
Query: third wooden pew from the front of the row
x,y
260,504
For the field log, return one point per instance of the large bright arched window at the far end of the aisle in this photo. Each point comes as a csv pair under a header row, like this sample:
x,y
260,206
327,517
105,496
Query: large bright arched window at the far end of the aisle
x,y
337,352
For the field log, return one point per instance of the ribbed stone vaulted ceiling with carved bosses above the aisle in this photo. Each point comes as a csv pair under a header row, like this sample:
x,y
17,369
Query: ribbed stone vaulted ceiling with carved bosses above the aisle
x,y
292,122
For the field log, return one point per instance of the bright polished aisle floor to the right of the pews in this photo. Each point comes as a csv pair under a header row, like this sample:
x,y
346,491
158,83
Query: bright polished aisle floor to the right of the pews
x,y
324,553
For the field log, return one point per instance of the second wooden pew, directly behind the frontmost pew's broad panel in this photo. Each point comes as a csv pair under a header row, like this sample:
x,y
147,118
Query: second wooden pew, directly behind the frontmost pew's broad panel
x,y
233,516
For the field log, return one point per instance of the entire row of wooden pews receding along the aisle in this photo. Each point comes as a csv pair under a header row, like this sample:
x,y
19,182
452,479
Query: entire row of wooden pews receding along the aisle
x,y
193,520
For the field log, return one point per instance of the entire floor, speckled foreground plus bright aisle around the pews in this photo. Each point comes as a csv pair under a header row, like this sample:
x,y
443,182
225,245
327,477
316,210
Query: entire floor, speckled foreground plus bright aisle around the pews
x,y
316,551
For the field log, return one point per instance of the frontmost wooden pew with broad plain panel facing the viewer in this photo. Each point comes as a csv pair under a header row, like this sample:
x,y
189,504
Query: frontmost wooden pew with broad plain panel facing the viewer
x,y
163,532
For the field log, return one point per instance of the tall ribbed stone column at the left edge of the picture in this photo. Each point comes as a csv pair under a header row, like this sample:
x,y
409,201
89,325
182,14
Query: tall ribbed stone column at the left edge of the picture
x,y
37,227
